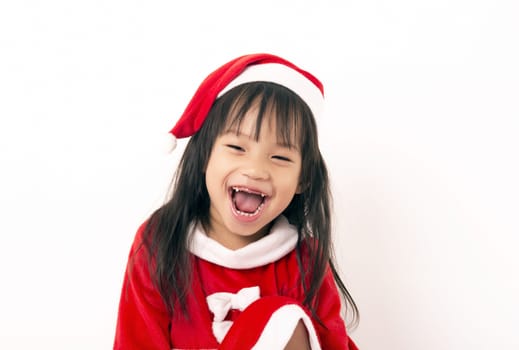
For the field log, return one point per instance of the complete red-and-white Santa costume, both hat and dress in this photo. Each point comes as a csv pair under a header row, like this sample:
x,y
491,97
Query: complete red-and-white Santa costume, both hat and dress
x,y
249,298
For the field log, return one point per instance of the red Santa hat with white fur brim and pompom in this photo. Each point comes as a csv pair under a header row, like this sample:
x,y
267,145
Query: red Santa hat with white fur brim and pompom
x,y
244,69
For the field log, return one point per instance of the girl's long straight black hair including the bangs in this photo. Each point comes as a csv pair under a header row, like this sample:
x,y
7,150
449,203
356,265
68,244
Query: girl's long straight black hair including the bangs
x,y
166,235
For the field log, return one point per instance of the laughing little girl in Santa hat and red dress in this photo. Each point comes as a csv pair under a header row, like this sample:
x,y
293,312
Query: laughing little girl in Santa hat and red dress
x,y
240,256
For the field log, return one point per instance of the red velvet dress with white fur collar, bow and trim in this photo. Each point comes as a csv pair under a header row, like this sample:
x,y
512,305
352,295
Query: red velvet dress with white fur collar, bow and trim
x,y
250,298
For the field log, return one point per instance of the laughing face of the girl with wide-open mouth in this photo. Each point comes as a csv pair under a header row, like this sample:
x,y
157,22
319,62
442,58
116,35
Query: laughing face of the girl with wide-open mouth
x,y
250,182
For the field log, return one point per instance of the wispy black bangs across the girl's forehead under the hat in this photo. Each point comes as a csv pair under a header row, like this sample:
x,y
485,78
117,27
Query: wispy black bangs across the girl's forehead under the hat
x,y
268,100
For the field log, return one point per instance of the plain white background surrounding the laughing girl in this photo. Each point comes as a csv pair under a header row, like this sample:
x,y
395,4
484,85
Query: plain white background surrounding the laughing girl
x,y
420,137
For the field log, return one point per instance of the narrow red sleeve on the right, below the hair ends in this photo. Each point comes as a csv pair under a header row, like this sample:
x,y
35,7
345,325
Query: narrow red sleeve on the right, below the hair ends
x,y
333,334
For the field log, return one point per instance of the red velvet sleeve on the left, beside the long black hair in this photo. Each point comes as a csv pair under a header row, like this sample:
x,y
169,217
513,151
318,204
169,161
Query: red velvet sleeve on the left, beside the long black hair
x,y
143,320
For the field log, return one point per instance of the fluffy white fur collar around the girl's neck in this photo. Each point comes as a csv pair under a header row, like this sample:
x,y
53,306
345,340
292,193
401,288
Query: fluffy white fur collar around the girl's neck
x,y
279,242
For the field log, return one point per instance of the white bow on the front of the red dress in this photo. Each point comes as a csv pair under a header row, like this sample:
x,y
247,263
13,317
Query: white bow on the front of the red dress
x,y
221,303
